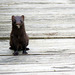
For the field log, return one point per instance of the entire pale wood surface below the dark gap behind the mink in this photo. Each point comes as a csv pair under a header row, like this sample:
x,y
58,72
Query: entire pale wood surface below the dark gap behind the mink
x,y
46,56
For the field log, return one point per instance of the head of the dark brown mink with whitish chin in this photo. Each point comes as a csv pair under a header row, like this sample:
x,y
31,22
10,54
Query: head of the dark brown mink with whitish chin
x,y
18,21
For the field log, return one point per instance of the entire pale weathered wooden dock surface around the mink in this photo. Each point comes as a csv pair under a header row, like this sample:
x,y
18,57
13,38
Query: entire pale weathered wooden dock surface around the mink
x,y
50,25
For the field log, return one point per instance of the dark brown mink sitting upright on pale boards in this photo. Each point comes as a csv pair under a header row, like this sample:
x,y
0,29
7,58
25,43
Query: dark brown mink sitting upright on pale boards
x,y
18,38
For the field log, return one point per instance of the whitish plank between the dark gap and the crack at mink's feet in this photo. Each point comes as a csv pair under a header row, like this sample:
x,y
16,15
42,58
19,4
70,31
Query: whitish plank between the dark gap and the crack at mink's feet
x,y
43,46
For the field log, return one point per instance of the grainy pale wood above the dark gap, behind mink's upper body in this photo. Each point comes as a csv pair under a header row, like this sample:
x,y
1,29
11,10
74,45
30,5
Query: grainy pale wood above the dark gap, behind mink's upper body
x,y
47,18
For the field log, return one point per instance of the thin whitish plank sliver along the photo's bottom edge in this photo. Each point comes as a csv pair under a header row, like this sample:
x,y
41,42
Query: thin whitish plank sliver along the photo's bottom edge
x,y
41,73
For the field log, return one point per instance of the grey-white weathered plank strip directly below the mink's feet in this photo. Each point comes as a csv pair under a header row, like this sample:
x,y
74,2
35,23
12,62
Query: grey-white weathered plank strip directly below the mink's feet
x,y
56,60
